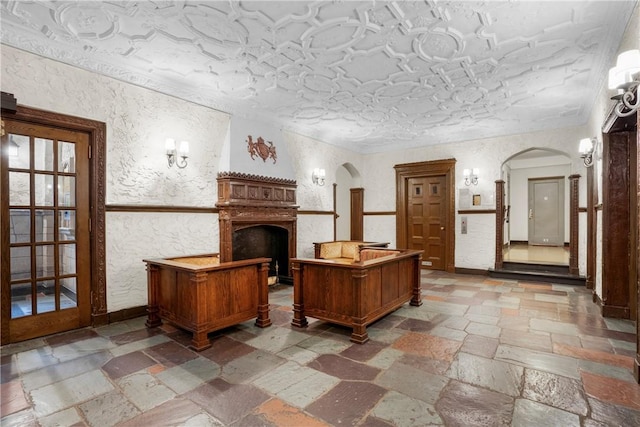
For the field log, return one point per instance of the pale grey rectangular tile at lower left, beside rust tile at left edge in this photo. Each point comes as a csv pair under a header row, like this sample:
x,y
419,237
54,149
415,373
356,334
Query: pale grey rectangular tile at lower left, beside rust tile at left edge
x,y
63,394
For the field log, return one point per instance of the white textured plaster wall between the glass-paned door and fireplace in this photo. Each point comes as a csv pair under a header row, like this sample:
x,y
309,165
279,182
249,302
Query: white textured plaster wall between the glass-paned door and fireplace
x,y
138,122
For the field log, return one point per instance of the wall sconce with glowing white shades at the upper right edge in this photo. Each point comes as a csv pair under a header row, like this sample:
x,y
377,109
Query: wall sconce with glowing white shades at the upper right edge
x,y
625,77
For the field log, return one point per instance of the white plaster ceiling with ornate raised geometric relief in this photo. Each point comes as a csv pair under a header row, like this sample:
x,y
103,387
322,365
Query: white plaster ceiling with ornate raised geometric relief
x,y
366,75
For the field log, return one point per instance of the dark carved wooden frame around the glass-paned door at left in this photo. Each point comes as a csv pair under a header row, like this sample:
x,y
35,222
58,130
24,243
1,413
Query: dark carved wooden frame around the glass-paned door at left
x,y
97,144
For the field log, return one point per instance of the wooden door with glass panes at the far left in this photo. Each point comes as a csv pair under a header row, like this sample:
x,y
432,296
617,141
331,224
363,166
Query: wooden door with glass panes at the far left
x,y
46,232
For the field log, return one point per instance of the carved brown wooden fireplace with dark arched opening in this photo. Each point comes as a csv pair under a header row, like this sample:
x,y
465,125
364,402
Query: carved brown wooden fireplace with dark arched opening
x,y
258,217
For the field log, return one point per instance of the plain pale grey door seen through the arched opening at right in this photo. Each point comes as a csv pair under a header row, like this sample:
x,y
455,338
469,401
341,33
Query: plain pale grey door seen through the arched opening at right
x,y
546,211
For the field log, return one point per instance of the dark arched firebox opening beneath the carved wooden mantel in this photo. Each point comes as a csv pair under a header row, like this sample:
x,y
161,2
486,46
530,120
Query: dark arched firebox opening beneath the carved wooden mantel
x,y
264,241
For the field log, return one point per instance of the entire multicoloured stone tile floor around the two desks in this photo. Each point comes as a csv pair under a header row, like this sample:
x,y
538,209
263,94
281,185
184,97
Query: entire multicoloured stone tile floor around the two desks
x,y
478,352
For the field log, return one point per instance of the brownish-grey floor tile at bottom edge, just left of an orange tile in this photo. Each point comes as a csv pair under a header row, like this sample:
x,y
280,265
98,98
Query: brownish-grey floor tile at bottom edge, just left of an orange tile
x,y
175,412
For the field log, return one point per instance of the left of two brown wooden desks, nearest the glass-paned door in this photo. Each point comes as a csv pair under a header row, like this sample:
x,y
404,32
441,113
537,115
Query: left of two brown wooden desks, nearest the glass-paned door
x,y
201,295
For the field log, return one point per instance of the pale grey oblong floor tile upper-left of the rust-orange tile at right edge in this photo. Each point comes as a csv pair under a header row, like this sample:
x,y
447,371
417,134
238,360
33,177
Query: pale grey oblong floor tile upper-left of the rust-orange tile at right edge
x,y
555,364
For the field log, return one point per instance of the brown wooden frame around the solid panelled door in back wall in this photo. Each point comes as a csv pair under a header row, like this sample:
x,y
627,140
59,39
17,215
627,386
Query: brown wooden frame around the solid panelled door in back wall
x,y
407,171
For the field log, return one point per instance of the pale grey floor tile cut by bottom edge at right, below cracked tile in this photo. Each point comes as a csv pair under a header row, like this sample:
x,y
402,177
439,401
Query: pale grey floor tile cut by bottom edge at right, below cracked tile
x,y
528,413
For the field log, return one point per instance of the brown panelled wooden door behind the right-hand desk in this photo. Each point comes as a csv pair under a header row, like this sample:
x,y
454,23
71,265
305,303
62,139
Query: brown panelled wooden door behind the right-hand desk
x,y
426,219
